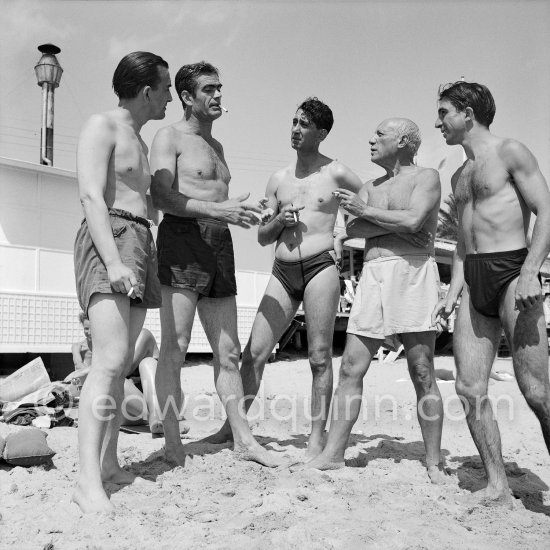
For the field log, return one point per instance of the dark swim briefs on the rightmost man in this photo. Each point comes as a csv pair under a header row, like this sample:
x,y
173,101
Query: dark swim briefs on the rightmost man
x,y
488,276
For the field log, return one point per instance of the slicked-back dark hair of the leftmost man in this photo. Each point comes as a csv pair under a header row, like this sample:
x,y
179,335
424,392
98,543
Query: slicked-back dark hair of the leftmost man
x,y
136,70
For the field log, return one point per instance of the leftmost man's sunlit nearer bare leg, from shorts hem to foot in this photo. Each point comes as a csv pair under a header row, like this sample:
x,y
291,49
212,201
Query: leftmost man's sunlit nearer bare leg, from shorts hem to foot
x,y
110,321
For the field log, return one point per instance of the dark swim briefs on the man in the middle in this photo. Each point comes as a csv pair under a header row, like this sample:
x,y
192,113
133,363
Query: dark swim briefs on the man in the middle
x,y
295,276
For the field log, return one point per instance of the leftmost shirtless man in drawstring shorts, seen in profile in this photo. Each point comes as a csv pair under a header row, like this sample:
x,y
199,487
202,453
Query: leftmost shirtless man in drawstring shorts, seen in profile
x,y
115,262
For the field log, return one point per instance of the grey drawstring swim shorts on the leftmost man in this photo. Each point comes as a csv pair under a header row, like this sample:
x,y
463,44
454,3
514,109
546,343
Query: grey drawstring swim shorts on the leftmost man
x,y
136,247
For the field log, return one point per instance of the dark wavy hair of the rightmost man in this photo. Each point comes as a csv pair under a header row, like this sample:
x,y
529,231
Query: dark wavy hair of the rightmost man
x,y
470,94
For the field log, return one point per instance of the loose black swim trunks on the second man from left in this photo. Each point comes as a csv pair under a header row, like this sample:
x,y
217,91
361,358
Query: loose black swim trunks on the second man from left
x,y
196,254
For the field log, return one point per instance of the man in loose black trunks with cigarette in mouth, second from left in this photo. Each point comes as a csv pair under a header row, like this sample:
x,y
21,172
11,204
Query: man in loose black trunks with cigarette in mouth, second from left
x,y
196,264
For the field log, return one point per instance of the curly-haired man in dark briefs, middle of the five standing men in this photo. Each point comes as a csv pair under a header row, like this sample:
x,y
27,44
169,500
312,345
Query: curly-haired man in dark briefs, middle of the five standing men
x,y
305,208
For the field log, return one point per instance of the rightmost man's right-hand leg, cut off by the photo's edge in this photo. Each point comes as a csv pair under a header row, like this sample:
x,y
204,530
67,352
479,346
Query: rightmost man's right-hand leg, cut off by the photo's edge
x,y
526,333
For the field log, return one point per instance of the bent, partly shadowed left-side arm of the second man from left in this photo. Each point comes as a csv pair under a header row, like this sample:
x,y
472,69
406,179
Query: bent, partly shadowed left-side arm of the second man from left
x,y
166,198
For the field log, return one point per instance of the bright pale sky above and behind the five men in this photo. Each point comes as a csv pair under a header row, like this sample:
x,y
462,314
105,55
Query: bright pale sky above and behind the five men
x,y
368,60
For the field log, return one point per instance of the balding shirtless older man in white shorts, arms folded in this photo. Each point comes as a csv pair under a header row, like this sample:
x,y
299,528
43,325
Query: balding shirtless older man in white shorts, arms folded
x,y
398,288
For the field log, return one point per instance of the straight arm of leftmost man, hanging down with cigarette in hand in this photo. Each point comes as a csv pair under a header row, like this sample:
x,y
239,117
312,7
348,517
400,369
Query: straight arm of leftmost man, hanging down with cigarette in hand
x,y
95,147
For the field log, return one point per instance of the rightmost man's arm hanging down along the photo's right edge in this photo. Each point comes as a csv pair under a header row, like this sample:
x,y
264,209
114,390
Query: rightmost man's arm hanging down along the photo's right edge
x,y
530,182
